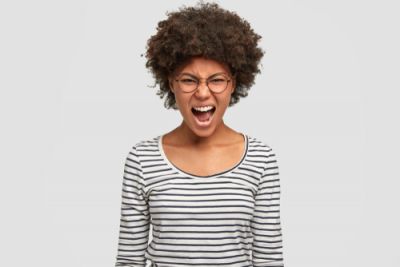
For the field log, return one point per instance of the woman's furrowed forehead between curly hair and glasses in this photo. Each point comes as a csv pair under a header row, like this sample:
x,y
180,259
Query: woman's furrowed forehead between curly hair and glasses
x,y
203,67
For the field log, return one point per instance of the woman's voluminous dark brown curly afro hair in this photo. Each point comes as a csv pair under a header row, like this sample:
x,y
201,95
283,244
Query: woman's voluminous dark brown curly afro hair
x,y
209,31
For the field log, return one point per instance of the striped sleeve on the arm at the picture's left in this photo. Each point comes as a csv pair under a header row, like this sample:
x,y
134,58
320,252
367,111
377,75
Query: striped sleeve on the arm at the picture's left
x,y
134,224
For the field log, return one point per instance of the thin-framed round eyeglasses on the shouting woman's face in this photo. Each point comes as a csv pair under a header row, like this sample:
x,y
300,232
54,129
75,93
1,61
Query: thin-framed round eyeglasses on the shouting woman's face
x,y
217,83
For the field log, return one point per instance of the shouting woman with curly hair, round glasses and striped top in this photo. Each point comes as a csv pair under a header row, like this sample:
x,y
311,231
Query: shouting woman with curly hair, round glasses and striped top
x,y
210,193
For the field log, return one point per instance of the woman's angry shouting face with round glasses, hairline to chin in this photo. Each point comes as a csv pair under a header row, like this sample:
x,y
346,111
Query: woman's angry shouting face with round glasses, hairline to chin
x,y
201,69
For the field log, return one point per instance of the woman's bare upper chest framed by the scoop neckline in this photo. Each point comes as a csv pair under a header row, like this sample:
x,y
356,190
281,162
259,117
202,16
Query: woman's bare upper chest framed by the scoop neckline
x,y
207,161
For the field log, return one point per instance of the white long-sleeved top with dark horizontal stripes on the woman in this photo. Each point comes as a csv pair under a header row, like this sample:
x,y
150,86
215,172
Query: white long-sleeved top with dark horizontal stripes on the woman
x,y
227,219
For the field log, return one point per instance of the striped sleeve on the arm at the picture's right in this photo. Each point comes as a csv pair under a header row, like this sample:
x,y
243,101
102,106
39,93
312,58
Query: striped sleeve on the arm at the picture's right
x,y
266,225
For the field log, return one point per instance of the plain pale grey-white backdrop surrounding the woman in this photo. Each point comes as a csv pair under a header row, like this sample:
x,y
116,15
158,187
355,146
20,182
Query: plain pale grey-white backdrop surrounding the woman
x,y
75,96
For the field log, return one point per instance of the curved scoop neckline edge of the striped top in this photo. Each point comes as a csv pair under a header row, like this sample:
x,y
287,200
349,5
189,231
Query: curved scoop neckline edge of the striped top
x,y
184,173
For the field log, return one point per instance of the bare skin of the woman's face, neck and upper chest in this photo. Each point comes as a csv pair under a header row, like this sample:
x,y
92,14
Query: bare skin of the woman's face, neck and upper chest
x,y
219,146
